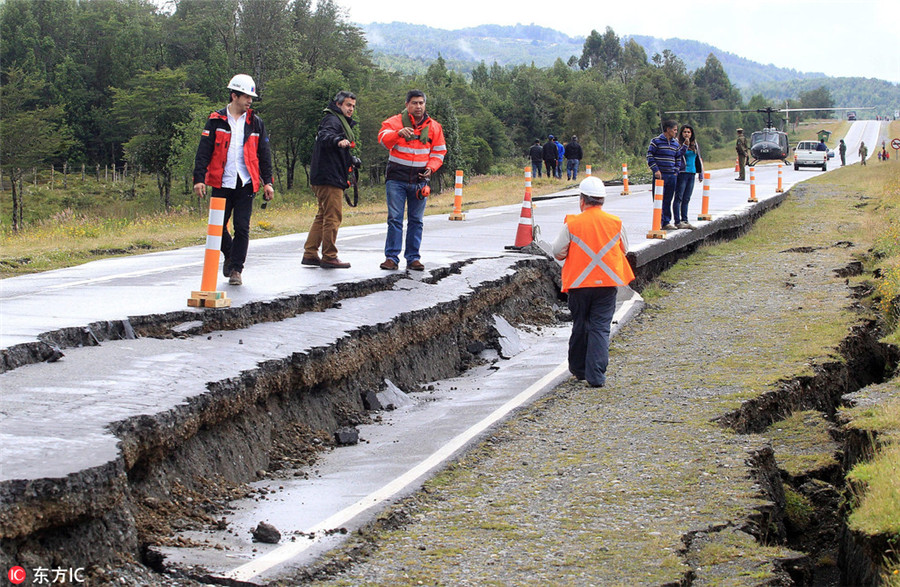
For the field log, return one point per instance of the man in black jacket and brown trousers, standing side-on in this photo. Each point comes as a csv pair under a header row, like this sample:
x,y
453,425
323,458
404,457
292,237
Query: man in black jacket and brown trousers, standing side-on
x,y
329,170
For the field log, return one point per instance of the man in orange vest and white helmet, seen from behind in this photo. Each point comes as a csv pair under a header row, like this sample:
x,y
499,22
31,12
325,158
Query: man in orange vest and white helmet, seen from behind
x,y
593,245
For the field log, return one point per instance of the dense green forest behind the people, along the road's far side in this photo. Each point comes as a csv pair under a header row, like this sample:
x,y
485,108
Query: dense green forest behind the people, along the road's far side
x,y
109,83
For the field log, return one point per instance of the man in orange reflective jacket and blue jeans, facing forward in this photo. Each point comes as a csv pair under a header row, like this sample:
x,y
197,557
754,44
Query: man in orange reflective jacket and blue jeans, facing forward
x,y
417,149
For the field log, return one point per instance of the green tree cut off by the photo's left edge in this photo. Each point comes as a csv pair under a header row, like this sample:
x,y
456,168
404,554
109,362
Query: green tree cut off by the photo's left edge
x,y
31,135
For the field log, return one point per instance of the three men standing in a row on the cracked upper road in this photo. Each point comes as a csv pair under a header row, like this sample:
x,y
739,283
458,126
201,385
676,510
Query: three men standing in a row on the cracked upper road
x,y
235,160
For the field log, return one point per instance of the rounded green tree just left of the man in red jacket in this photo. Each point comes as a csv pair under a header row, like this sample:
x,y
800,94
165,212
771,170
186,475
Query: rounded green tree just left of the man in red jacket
x,y
153,110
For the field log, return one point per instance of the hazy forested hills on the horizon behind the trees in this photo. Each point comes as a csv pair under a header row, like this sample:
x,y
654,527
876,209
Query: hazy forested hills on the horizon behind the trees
x,y
410,48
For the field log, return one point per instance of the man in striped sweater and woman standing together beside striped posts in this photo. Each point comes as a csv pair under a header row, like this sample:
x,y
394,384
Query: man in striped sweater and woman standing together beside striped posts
x,y
674,157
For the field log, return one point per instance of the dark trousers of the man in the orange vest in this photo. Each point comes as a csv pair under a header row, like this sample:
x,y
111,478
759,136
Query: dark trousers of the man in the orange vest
x,y
592,311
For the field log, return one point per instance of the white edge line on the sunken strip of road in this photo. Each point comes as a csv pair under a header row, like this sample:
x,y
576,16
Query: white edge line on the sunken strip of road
x,y
288,551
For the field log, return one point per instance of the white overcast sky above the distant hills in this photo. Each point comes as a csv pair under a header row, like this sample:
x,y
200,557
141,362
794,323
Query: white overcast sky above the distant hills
x,y
837,37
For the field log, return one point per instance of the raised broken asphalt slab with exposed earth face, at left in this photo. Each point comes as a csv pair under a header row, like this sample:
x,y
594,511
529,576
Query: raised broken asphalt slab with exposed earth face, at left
x,y
149,418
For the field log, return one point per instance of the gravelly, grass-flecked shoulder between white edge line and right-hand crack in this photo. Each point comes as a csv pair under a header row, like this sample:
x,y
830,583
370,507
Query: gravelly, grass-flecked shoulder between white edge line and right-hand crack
x,y
665,476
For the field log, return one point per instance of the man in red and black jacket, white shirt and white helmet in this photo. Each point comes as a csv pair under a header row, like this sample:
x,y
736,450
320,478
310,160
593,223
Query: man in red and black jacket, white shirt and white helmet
x,y
234,159
